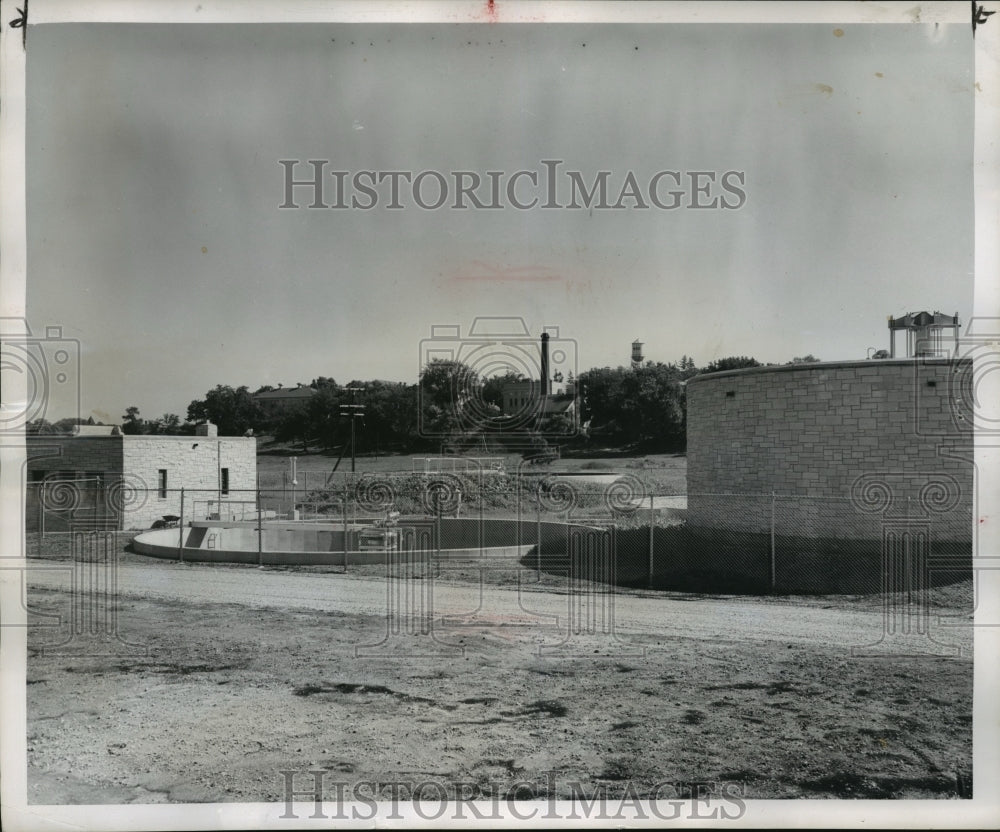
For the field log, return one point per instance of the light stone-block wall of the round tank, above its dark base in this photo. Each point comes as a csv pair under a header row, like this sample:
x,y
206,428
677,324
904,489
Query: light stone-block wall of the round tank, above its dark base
x,y
863,439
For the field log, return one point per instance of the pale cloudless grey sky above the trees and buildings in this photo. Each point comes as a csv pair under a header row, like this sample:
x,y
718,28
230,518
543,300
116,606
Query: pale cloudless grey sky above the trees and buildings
x,y
155,239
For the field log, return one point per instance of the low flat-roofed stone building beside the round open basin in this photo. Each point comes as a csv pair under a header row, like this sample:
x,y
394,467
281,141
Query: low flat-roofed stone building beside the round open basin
x,y
99,478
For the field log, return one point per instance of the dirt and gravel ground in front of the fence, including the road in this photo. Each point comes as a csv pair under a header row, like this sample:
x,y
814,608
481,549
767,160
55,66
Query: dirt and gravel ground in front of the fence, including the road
x,y
216,698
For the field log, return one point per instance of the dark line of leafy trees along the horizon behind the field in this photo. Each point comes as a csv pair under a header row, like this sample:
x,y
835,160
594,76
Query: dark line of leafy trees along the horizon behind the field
x,y
451,406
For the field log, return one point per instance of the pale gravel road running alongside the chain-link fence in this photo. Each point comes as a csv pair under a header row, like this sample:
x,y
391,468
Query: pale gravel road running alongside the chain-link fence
x,y
717,618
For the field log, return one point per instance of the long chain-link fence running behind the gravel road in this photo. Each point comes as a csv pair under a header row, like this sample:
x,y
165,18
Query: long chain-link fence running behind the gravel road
x,y
605,528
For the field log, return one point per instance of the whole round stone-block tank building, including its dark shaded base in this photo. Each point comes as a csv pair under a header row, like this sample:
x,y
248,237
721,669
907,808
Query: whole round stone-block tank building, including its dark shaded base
x,y
831,469
